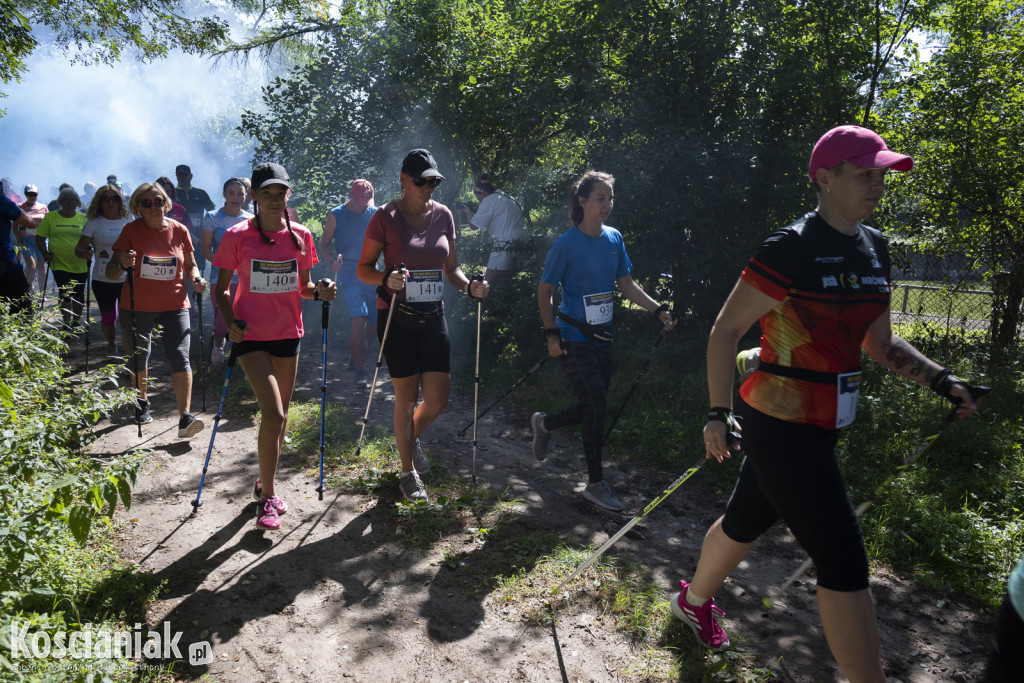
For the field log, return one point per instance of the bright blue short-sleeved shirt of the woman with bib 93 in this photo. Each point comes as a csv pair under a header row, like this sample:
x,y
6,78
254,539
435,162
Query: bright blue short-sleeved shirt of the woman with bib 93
x,y
587,270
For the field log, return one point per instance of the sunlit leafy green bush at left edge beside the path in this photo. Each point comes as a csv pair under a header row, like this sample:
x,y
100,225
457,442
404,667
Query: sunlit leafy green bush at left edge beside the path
x,y
51,486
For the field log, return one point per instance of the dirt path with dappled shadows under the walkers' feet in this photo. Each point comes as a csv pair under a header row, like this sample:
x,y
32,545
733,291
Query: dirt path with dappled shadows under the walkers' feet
x,y
339,593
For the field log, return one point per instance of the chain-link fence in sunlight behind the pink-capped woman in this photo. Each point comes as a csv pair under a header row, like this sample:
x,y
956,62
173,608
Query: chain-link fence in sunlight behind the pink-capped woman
x,y
950,308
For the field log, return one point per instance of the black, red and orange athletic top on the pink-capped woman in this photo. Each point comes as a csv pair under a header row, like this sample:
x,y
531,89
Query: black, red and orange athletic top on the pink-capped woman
x,y
831,288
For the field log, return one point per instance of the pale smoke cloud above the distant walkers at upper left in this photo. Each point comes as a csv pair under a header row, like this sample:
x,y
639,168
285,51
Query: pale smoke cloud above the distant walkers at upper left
x,y
72,123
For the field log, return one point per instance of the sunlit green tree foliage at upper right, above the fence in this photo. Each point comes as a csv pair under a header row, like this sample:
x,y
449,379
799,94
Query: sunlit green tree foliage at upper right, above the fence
x,y
961,114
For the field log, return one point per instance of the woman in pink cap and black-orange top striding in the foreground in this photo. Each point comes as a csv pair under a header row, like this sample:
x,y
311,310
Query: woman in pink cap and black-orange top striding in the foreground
x,y
821,290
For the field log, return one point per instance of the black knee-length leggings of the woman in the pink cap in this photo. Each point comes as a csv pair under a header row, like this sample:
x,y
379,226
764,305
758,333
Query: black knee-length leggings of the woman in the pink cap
x,y
790,473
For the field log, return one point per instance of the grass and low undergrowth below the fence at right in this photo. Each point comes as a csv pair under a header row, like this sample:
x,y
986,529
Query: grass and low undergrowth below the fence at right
x,y
954,518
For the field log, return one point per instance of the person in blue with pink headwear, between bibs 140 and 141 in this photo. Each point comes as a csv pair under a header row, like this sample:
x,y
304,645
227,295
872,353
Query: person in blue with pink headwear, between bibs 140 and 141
x,y
347,228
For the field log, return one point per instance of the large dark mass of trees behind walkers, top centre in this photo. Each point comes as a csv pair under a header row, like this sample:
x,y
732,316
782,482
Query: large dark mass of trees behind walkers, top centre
x,y
701,109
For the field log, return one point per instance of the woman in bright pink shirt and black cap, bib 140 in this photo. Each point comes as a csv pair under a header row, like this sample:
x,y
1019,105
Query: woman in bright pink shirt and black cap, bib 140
x,y
274,259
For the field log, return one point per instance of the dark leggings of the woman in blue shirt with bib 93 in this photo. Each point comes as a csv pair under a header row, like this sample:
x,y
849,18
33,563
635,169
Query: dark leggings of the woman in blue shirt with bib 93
x,y
588,370
